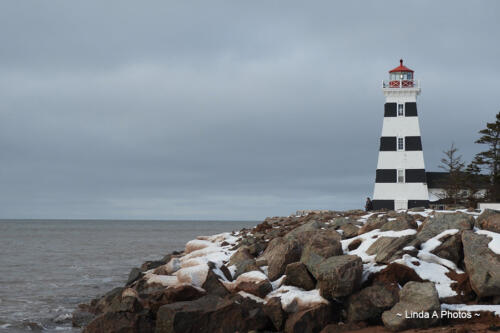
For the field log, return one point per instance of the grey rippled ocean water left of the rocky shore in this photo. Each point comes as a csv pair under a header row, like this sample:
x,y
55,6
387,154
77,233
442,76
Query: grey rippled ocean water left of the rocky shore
x,y
48,267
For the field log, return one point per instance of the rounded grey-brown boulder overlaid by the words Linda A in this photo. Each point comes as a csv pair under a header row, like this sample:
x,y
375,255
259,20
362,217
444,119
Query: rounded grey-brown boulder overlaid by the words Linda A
x,y
414,298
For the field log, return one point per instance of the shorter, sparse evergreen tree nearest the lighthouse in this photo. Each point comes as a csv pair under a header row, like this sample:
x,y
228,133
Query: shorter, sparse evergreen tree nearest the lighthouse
x,y
453,165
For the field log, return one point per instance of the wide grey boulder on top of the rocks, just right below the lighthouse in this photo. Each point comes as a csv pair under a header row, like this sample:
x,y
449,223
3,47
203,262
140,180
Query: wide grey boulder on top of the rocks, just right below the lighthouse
x,y
432,226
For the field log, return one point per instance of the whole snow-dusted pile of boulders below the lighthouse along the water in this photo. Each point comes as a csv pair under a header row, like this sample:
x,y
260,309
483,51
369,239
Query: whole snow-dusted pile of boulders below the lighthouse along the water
x,y
323,272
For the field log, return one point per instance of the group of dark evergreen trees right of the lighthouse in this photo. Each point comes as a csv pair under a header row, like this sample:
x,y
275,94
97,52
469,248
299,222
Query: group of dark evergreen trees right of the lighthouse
x,y
464,182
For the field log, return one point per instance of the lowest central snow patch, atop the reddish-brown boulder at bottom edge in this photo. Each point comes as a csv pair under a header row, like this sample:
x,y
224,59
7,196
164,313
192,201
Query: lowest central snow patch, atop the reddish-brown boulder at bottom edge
x,y
297,299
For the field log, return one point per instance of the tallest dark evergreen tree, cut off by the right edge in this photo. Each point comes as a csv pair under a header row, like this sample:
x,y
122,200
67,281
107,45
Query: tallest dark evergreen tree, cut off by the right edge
x,y
490,158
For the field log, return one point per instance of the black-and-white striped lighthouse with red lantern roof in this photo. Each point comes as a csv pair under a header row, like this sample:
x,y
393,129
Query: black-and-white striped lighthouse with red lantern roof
x,y
400,181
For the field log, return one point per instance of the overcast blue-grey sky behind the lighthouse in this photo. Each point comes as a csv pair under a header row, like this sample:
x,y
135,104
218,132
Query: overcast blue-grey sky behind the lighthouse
x,y
226,109
